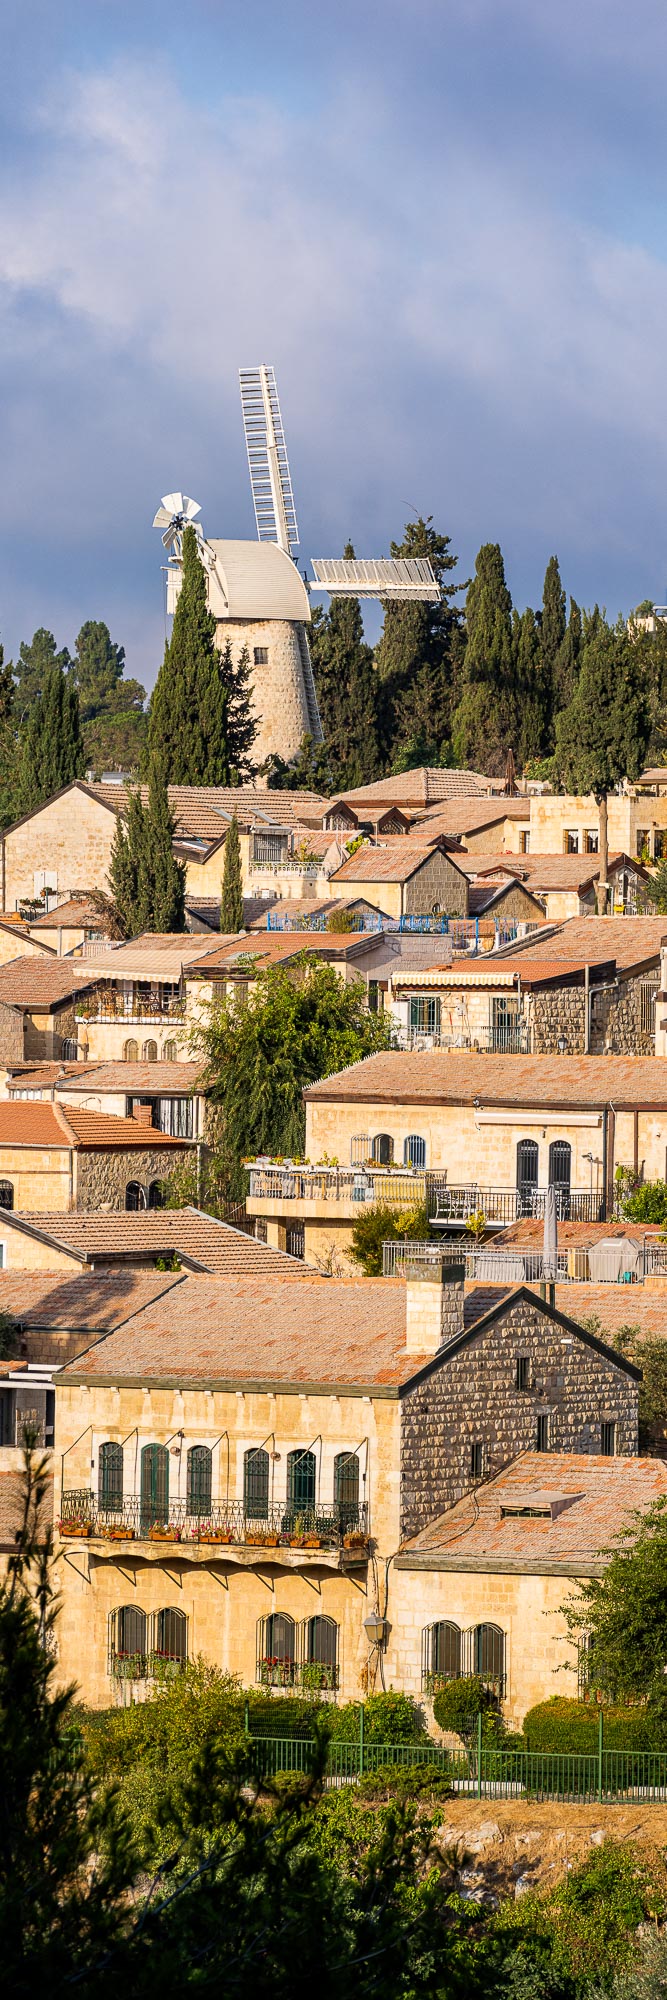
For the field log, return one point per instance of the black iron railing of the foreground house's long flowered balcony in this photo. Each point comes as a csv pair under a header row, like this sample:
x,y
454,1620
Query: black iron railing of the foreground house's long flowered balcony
x,y
334,1525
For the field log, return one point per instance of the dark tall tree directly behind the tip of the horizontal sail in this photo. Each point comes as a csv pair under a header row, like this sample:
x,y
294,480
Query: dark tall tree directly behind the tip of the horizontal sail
x,y
414,659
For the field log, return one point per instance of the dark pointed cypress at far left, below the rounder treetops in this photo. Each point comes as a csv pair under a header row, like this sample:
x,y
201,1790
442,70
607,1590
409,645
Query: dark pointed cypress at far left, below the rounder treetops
x,y
51,745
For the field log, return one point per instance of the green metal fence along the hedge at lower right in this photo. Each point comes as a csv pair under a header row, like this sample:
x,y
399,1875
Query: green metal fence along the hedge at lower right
x,y
604,1777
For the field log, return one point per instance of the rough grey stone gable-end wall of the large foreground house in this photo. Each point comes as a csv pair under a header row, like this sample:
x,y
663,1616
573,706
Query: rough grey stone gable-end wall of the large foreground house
x,y
474,1399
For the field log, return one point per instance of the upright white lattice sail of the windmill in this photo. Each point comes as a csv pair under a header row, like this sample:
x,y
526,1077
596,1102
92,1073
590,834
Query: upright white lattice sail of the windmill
x,y
269,459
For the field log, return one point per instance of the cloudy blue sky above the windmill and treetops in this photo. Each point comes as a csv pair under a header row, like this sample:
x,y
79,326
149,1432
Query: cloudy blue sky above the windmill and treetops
x,y
442,221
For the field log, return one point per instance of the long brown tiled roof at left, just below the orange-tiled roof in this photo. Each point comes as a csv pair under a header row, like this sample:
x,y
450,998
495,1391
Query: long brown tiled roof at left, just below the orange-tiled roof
x,y
213,1245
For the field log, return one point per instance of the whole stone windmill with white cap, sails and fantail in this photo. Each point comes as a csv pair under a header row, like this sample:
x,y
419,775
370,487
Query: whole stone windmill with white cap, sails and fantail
x,y
255,589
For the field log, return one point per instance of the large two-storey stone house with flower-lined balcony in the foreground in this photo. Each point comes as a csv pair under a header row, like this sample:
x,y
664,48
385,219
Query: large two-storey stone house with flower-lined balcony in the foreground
x,y
243,1457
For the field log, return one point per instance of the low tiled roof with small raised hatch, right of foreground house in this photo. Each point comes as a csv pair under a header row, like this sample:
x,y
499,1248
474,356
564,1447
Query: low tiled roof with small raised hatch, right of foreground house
x,y
600,1491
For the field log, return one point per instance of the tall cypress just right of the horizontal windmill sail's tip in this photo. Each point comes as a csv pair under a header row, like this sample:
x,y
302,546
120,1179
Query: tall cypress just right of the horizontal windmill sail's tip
x,y
488,719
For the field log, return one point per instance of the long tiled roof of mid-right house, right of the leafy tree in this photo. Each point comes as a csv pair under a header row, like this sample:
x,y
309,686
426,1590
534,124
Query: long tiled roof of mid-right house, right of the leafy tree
x,y
436,1077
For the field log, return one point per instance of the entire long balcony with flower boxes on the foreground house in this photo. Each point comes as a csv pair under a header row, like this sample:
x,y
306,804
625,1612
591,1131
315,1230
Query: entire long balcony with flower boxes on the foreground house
x,y
336,1533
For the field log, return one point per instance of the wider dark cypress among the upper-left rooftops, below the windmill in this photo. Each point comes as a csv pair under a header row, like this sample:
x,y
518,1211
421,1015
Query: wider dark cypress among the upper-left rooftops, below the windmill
x,y
149,885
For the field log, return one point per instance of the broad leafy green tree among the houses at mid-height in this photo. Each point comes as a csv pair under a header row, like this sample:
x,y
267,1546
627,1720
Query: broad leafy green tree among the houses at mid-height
x,y
263,1051
